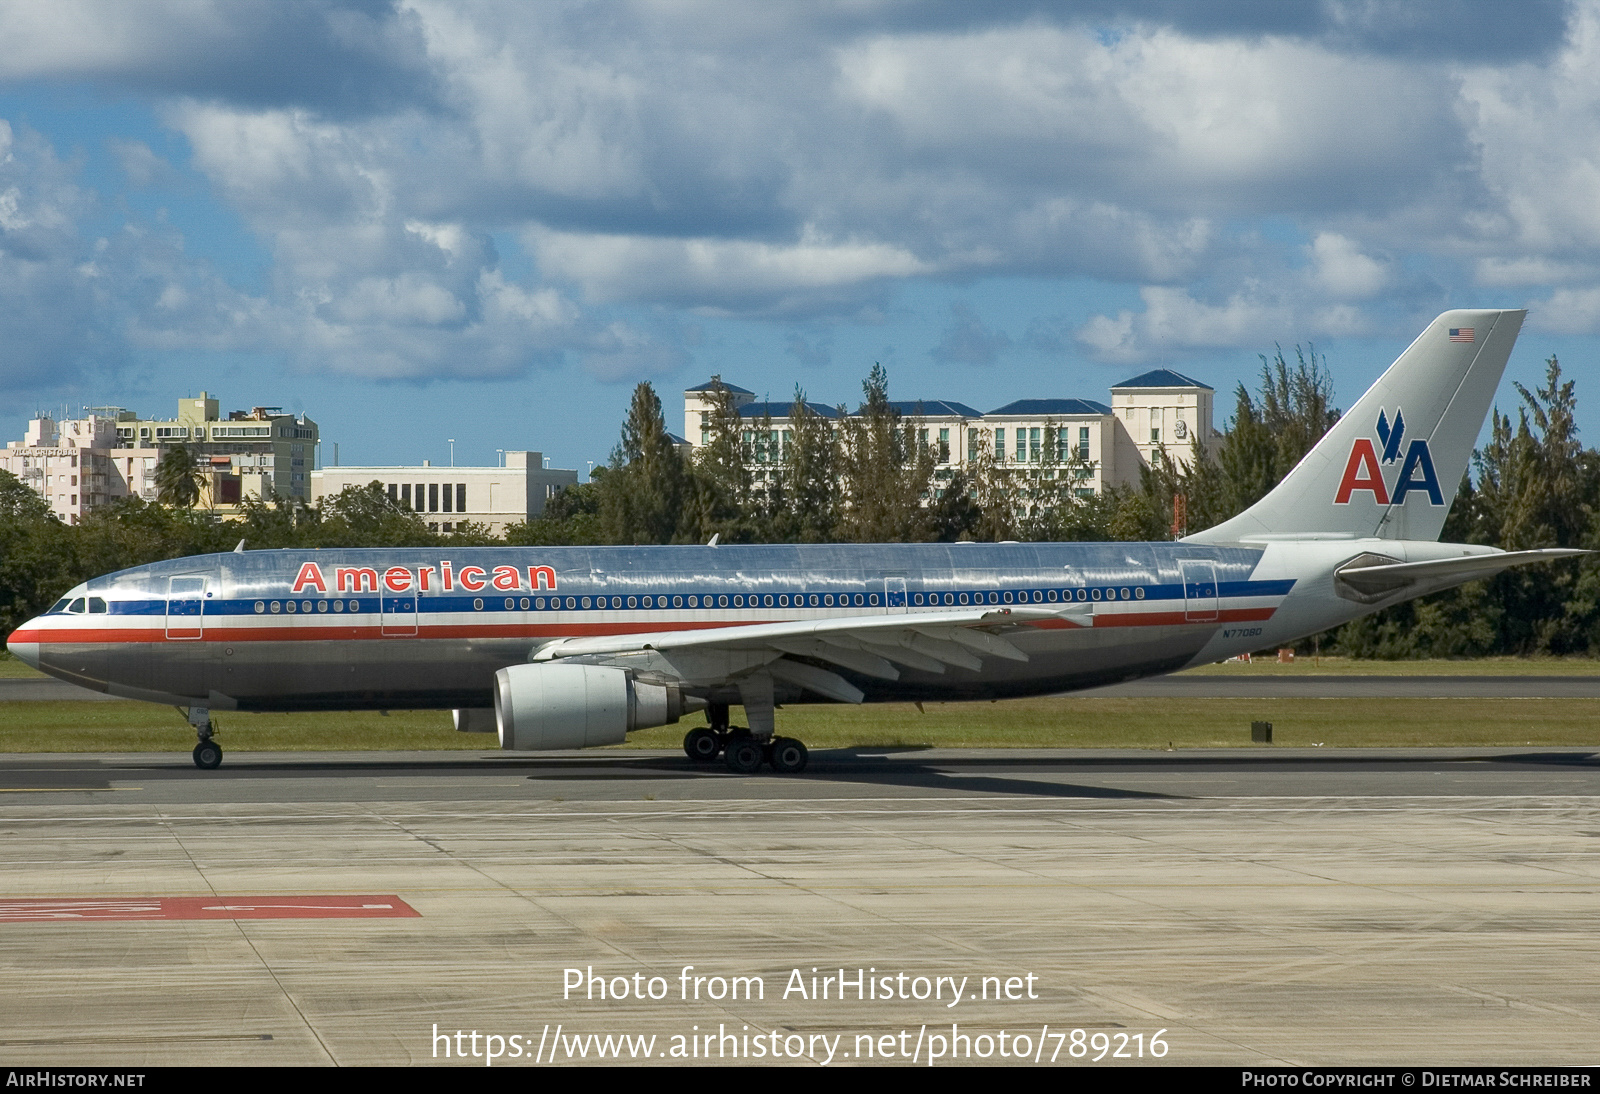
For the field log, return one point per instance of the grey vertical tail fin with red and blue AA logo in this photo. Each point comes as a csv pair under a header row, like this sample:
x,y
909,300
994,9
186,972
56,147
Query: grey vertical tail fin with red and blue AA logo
x,y
1393,465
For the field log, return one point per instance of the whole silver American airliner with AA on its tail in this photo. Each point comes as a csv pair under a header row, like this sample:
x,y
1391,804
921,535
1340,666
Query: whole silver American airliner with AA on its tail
x,y
577,647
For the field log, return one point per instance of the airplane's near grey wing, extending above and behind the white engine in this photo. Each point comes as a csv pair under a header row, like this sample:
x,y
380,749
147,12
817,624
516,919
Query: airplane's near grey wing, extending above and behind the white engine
x,y
870,645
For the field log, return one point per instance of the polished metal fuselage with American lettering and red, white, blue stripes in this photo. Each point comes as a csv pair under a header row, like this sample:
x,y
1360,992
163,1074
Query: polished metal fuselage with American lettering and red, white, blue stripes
x,y
430,628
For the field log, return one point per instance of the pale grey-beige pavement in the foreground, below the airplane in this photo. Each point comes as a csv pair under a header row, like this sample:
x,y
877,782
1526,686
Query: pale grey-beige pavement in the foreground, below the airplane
x,y
1254,906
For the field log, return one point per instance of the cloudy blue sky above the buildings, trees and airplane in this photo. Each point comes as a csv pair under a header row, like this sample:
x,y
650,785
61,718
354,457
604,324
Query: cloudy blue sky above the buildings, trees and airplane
x,y
489,222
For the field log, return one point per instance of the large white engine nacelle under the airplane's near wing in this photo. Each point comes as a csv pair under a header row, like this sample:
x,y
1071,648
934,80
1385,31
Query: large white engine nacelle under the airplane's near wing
x,y
566,706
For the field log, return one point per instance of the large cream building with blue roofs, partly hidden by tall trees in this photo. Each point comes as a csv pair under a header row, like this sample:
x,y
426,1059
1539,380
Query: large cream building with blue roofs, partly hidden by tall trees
x,y
1102,444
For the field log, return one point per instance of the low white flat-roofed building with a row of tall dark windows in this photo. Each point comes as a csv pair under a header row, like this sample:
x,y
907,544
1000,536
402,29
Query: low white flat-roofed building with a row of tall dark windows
x,y
449,497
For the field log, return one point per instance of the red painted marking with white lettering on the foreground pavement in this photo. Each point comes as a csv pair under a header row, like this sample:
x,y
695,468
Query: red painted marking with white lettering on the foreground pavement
x,y
223,908
